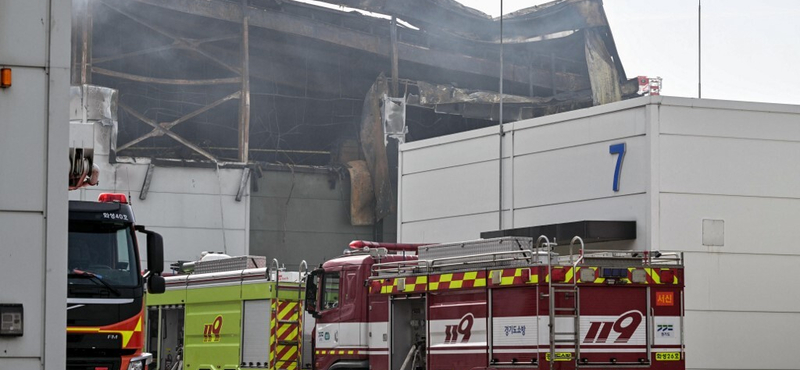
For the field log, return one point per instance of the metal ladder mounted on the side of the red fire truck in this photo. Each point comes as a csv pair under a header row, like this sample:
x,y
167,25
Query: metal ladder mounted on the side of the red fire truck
x,y
561,334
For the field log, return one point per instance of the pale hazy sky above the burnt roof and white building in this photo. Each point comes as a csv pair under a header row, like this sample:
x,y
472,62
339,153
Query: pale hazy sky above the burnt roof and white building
x,y
751,48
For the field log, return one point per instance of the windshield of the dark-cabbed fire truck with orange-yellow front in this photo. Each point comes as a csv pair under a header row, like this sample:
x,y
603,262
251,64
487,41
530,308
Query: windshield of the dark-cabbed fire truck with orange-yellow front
x,y
105,250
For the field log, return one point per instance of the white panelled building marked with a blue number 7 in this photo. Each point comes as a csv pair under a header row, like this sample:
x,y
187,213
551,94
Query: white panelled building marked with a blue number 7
x,y
686,161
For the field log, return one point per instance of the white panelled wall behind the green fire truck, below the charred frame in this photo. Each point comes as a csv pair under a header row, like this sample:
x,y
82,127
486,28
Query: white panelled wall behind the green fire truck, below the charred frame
x,y
194,209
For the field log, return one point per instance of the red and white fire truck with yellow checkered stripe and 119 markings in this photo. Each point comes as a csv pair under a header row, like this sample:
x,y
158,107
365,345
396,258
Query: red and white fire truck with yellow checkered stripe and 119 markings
x,y
505,302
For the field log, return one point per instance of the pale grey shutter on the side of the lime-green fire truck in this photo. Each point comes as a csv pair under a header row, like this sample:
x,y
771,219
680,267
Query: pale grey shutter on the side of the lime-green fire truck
x,y
255,332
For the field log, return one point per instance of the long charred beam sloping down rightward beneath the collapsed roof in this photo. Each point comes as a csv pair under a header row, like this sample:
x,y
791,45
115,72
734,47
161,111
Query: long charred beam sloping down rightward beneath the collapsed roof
x,y
307,27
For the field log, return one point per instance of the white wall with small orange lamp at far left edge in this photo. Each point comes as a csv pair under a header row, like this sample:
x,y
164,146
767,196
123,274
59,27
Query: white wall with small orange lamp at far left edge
x,y
34,43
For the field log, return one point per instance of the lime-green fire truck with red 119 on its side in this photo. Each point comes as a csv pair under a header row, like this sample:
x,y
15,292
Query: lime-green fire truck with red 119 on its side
x,y
226,313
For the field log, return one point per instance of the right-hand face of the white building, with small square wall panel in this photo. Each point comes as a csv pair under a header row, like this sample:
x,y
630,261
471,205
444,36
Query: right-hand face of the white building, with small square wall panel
x,y
736,164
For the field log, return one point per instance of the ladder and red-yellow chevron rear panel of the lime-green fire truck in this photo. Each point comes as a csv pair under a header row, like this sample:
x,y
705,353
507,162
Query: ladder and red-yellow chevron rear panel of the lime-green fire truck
x,y
289,329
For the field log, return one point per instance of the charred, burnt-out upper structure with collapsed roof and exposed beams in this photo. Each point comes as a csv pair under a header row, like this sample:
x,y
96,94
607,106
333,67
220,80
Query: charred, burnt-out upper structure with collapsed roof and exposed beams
x,y
282,81
